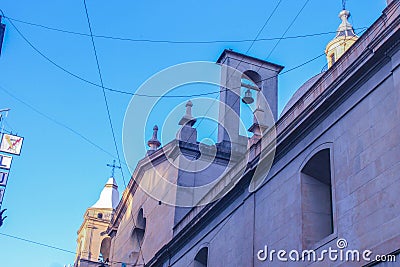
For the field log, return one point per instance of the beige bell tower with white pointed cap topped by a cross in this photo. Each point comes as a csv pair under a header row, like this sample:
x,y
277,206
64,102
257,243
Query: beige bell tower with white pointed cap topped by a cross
x,y
92,242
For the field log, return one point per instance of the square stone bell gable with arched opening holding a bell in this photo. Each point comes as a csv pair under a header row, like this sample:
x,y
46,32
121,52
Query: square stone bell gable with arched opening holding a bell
x,y
255,75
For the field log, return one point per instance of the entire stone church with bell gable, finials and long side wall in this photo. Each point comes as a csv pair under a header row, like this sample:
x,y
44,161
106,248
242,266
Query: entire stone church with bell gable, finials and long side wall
x,y
334,181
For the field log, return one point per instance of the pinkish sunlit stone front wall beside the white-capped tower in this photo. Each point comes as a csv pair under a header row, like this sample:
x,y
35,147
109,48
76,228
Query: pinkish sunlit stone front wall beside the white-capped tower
x,y
159,223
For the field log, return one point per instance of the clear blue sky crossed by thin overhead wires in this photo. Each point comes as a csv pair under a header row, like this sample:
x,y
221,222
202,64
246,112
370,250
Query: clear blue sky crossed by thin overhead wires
x,y
58,174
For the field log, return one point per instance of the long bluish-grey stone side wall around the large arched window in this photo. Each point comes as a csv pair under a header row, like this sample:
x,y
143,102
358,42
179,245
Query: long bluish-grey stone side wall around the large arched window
x,y
364,135
